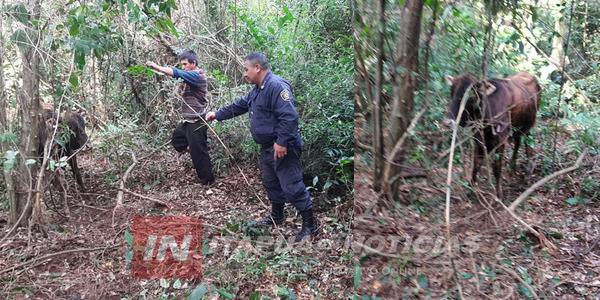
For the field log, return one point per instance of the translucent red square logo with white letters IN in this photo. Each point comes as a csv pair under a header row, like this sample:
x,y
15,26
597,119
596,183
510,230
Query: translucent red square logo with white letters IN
x,y
167,247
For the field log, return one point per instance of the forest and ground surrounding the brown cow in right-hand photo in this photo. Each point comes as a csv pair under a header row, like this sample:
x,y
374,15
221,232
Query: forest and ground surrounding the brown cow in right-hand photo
x,y
409,202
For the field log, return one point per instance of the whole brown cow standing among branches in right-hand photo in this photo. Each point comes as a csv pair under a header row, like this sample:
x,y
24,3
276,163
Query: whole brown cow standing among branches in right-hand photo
x,y
511,104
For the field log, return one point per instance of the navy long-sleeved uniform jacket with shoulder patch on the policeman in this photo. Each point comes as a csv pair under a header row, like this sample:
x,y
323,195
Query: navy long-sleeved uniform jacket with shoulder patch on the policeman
x,y
273,117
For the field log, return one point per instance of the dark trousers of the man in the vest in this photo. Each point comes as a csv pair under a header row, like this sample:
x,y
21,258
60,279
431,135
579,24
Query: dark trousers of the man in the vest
x,y
194,135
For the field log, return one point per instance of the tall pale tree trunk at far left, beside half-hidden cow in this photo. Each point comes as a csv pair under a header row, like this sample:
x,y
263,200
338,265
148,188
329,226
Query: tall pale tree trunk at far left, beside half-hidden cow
x,y
21,200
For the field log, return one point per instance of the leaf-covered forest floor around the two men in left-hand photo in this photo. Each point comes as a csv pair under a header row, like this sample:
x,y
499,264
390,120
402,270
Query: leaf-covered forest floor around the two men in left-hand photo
x,y
83,255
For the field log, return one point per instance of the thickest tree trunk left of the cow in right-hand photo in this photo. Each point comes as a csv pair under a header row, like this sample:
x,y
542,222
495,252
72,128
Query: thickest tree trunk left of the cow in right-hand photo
x,y
407,60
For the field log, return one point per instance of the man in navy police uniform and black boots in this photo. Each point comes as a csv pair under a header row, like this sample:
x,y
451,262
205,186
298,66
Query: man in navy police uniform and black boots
x,y
274,125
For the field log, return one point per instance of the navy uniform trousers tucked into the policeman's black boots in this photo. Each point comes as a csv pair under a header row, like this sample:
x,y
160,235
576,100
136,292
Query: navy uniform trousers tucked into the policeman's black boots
x,y
282,178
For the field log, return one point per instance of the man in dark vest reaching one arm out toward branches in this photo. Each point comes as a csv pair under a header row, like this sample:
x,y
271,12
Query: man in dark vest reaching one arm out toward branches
x,y
190,135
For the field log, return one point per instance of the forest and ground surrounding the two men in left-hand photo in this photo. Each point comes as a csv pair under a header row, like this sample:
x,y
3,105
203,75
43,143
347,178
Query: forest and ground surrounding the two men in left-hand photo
x,y
87,57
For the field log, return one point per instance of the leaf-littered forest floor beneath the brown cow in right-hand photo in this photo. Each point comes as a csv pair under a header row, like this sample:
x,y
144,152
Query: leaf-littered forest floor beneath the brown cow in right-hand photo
x,y
401,247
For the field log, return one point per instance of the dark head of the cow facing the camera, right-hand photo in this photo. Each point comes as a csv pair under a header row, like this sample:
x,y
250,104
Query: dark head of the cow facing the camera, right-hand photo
x,y
458,87
